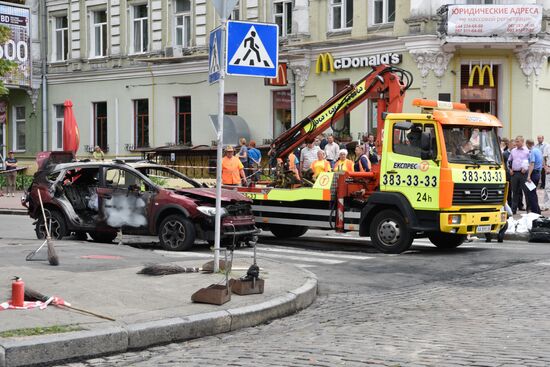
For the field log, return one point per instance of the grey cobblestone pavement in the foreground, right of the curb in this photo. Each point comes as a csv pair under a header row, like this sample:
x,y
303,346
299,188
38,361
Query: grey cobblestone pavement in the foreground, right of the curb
x,y
496,317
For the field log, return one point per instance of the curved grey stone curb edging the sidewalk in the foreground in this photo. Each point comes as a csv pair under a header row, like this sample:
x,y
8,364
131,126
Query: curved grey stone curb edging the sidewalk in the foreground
x,y
122,338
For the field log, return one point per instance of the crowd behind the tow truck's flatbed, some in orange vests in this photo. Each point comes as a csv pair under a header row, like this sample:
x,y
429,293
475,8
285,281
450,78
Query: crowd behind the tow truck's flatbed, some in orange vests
x,y
316,155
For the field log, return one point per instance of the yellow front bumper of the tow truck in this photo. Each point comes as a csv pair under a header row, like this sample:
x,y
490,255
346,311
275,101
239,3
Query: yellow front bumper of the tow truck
x,y
472,222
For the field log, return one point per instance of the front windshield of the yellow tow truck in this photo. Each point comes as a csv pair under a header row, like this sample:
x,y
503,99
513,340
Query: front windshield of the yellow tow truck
x,y
472,144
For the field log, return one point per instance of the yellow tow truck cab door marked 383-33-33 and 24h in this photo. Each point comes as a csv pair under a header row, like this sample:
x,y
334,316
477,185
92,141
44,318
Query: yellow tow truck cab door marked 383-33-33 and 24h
x,y
404,171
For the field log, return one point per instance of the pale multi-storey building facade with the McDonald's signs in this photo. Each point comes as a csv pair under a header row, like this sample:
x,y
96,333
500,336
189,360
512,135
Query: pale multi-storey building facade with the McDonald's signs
x,y
137,70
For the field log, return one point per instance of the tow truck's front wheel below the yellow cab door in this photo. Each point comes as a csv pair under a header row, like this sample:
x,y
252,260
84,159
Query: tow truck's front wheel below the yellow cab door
x,y
389,233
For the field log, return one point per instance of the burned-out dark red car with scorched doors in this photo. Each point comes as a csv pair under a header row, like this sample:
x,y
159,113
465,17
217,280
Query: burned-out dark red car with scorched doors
x,y
142,198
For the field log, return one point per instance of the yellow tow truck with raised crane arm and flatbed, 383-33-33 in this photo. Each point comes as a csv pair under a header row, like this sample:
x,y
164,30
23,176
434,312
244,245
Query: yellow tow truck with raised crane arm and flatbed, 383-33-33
x,y
440,174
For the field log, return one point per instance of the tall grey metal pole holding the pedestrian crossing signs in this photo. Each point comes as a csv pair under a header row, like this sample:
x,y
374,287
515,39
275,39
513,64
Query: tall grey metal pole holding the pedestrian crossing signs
x,y
221,86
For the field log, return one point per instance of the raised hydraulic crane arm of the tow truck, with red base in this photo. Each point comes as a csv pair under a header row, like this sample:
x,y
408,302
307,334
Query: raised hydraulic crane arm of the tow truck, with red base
x,y
385,84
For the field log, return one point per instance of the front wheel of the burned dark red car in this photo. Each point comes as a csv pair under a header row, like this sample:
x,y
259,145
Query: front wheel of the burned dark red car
x,y
176,233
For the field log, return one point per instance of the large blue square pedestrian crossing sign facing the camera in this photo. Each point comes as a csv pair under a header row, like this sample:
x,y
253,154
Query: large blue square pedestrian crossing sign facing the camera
x,y
252,49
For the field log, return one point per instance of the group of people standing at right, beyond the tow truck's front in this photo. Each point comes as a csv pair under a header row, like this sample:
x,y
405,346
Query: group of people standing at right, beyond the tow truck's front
x,y
528,165
